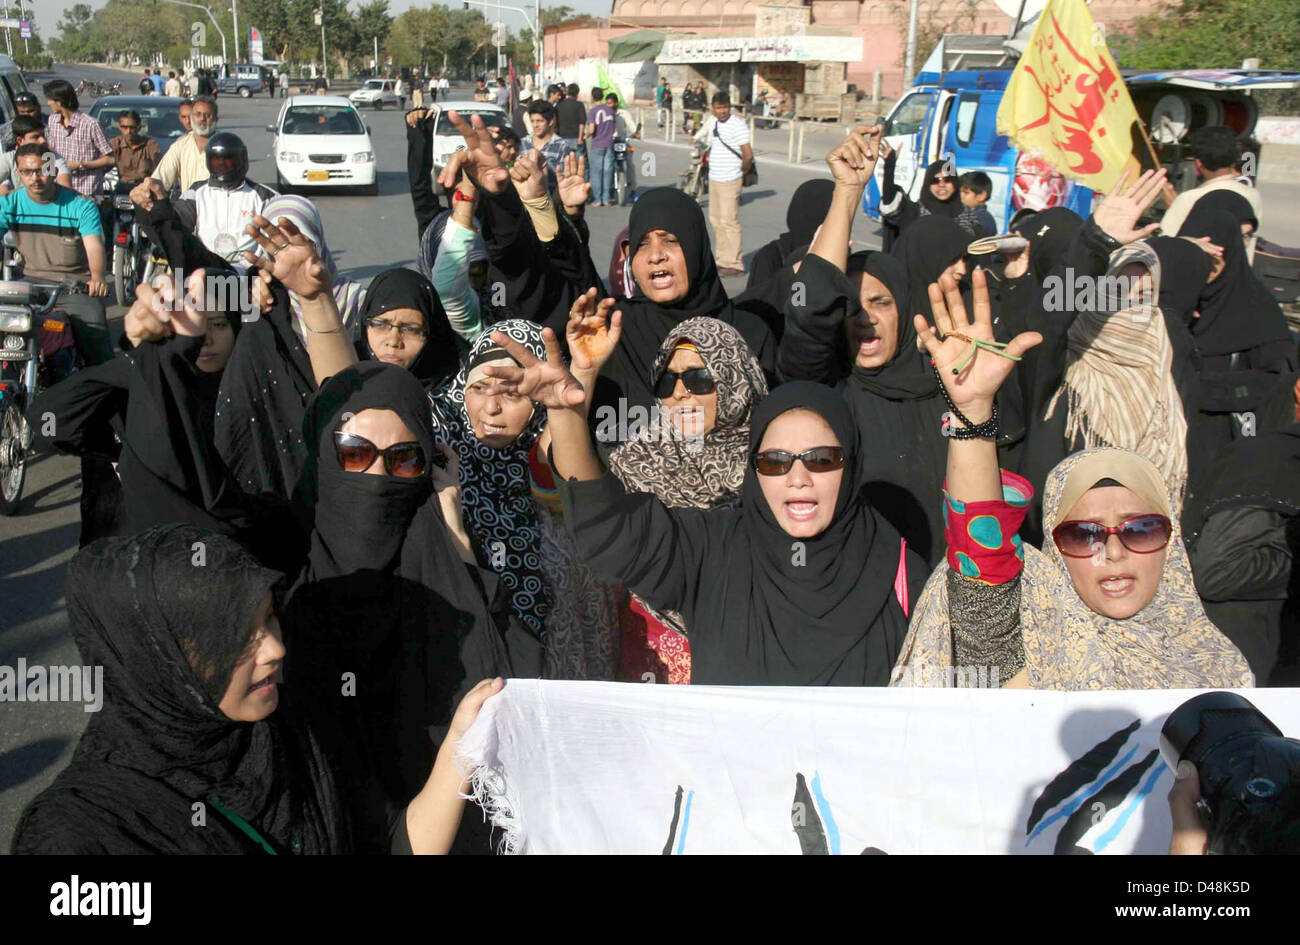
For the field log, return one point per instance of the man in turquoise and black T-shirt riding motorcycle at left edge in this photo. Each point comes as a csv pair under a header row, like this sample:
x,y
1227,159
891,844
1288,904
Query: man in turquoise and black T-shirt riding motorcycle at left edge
x,y
59,237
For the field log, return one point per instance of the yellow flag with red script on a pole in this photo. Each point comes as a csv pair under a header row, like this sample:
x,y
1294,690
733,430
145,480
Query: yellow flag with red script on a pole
x,y
1068,102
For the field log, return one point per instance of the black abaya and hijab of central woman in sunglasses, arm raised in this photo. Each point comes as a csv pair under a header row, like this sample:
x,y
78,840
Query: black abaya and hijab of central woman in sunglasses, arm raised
x,y
764,608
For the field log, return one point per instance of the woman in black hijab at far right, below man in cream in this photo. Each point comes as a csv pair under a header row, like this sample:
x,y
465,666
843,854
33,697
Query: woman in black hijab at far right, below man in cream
x,y
1241,326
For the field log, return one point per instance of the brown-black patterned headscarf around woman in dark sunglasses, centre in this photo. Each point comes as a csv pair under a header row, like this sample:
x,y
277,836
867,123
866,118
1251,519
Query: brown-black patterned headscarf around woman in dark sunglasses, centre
x,y
699,472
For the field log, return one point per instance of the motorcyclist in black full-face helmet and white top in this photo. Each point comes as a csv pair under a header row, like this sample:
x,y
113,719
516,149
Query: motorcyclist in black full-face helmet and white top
x,y
219,209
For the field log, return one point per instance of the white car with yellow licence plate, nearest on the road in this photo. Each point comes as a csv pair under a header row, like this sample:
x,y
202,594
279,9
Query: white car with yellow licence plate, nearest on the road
x,y
320,141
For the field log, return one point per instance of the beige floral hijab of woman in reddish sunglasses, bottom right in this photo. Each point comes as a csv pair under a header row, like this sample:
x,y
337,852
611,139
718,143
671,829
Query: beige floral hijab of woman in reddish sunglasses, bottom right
x,y
1171,644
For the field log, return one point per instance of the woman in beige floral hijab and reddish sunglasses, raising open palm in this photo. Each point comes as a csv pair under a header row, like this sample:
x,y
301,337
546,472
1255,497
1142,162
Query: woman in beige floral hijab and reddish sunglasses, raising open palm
x,y
1110,604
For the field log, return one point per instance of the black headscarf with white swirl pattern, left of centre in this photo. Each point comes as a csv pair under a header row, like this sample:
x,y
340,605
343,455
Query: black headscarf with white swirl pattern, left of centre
x,y
495,487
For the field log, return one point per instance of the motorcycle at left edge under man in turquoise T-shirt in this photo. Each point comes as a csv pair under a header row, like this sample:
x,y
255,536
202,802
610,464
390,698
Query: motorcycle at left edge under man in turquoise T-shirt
x,y
37,350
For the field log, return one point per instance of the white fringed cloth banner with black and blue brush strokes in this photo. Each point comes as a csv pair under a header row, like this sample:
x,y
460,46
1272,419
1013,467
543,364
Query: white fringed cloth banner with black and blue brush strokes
x,y
608,768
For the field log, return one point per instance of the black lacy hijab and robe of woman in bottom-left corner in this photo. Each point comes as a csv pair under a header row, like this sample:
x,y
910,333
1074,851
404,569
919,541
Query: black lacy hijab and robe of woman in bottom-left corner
x,y
168,635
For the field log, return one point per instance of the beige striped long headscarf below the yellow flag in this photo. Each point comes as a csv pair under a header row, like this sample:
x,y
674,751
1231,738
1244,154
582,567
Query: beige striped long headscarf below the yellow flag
x,y
1119,380
